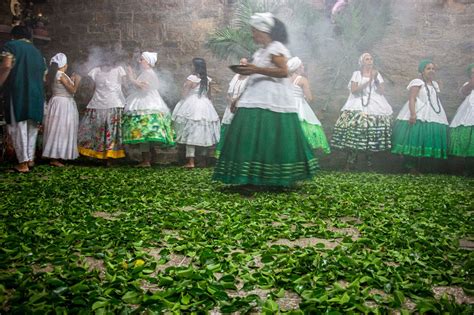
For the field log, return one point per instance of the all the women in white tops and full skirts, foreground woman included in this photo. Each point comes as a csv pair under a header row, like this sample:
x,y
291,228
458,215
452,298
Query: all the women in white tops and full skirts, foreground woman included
x,y
269,133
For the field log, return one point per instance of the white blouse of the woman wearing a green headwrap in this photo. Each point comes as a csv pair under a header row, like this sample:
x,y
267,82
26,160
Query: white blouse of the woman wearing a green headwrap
x,y
424,111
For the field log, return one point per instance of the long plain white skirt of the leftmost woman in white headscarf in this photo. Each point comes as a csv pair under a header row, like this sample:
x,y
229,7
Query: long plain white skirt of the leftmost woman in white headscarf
x,y
61,123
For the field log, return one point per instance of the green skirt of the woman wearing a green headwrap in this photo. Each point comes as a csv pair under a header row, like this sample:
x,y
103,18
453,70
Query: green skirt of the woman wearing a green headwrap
x,y
423,139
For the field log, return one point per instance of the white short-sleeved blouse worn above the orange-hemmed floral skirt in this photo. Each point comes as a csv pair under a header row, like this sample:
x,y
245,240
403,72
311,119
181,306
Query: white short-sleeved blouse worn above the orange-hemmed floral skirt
x,y
108,88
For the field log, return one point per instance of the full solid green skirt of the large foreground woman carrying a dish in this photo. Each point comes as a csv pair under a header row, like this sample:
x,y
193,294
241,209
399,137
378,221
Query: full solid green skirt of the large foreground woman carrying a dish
x,y
262,147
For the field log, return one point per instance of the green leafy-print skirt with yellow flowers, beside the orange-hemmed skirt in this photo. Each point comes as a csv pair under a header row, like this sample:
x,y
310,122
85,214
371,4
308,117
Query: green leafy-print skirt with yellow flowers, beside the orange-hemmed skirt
x,y
147,128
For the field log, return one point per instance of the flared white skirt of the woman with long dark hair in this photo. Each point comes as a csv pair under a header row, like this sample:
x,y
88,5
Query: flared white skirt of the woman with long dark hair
x,y
196,122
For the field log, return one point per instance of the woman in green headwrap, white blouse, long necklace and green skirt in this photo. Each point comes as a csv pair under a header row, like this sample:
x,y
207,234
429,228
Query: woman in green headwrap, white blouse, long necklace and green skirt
x,y
421,127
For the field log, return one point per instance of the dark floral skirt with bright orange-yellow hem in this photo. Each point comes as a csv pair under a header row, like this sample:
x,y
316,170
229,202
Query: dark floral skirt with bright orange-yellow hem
x,y
100,134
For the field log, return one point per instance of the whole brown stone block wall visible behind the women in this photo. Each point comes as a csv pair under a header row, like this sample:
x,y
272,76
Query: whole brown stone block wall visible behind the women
x,y
177,30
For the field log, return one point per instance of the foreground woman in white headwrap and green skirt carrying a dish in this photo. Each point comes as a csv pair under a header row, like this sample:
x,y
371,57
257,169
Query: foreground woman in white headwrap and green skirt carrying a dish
x,y
265,144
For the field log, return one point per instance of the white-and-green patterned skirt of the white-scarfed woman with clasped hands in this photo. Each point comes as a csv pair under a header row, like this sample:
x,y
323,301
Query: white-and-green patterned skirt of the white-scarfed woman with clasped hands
x,y
356,130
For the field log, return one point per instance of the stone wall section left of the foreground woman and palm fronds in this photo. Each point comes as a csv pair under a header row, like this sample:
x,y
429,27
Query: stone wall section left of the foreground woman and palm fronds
x,y
176,29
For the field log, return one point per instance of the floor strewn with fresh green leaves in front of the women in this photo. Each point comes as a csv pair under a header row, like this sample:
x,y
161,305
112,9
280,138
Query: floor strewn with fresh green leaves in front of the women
x,y
111,240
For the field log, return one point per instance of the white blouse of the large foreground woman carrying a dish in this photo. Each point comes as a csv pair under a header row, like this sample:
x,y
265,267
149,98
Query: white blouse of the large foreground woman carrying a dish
x,y
265,92
